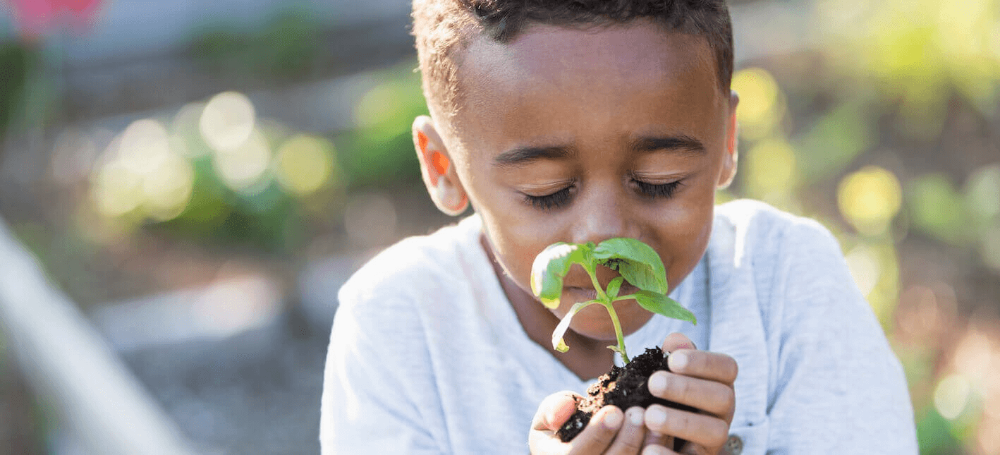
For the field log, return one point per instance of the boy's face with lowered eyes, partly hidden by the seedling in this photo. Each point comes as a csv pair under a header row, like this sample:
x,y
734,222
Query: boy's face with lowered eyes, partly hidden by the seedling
x,y
577,136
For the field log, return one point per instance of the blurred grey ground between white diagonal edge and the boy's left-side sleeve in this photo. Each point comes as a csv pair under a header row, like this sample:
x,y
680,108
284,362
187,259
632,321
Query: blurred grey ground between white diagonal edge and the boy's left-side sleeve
x,y
253,393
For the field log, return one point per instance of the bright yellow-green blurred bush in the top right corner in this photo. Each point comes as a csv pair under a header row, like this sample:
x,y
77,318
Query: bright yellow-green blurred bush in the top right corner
x,y
917,54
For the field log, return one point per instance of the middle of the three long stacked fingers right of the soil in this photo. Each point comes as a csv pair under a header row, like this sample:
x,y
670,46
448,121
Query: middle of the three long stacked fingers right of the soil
x,y
709,396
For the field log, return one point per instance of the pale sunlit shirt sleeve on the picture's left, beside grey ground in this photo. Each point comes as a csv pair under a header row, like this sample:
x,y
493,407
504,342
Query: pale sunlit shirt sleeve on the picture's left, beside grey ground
x,y
377,391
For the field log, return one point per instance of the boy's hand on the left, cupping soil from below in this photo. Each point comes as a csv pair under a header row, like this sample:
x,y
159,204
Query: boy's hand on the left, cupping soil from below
x,y
610,431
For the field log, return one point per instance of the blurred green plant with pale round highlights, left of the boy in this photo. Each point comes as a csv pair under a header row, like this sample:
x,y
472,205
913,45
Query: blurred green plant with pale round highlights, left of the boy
x,y
217,174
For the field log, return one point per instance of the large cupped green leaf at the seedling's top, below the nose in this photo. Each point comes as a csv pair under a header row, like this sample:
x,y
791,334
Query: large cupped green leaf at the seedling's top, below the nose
x,y
634,260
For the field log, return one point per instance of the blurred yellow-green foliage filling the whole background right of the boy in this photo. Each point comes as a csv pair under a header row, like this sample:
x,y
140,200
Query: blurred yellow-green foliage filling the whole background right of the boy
x,y
919,68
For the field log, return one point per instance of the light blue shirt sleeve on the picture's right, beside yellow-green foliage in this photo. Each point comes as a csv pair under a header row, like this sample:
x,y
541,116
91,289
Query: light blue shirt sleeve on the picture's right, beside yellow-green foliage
x,y
838,386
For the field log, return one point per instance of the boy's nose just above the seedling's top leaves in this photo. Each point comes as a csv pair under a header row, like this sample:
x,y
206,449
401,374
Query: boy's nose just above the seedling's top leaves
x,y
603,214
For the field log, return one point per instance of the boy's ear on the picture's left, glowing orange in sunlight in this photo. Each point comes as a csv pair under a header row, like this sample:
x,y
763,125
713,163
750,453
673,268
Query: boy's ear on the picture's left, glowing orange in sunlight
x,y
438,169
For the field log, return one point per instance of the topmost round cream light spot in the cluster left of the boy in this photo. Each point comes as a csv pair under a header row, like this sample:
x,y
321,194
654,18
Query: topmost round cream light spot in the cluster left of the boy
x,y
227,121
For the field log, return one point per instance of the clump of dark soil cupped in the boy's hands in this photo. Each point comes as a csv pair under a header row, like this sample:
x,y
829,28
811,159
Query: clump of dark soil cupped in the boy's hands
x,y
623,387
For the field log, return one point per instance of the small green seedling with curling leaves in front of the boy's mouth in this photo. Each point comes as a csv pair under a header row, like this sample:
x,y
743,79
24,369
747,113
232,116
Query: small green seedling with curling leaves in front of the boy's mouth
x,y
635,261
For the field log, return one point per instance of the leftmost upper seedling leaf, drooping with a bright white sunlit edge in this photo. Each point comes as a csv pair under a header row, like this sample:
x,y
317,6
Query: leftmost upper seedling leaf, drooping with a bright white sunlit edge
x,y
551,266
